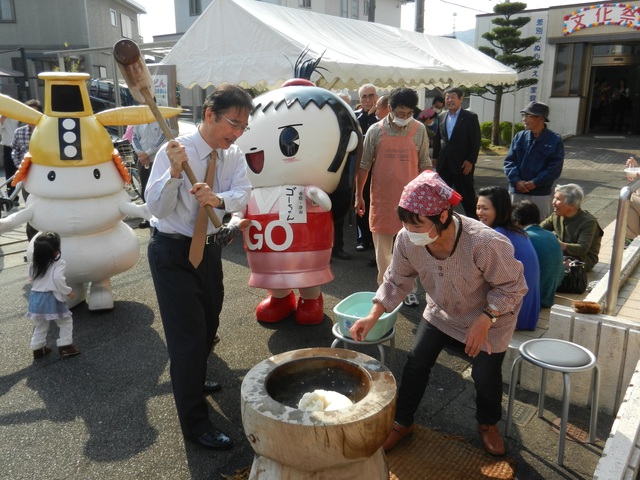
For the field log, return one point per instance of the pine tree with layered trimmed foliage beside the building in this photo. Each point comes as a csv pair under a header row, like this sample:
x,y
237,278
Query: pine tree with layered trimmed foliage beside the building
x,y
506,45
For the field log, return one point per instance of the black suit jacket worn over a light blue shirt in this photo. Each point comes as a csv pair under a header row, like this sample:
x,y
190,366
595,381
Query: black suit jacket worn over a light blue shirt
x,y
464,143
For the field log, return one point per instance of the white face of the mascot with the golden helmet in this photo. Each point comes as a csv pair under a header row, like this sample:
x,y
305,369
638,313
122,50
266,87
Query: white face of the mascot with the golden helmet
x,y
74,182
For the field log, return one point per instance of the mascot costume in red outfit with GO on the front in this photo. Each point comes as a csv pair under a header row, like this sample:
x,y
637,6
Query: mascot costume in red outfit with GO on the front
x,y
296,150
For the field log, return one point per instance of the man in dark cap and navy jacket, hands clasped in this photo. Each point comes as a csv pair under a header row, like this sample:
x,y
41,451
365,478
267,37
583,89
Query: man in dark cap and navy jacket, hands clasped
x,y
535,159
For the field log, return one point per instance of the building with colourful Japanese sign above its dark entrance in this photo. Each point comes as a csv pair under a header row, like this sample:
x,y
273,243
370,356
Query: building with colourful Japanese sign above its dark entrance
x,y
587,49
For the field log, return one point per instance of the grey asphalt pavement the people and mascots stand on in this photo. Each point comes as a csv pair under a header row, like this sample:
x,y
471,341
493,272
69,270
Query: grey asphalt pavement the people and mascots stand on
x,y
108,413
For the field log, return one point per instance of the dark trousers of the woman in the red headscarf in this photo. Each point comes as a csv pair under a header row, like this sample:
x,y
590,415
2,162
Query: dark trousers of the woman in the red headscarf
x,y
486,374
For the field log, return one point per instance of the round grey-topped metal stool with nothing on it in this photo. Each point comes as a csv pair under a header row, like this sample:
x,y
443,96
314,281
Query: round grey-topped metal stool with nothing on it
x,y
560,356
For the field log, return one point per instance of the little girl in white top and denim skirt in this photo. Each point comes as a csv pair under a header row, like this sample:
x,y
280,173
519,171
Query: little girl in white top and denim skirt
x,y
46,300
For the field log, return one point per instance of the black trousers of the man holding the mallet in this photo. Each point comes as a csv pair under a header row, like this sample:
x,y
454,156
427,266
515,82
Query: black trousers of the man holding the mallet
x,y
190,302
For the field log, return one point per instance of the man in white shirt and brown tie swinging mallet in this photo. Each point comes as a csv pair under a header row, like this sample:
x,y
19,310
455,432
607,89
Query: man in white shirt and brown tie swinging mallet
x,y
186,266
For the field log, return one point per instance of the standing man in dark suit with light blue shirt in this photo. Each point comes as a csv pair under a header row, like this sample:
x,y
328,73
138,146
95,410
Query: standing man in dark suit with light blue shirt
x,y
456,146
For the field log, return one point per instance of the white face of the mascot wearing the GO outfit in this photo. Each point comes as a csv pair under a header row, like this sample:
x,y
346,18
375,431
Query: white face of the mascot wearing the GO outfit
x,y
292,145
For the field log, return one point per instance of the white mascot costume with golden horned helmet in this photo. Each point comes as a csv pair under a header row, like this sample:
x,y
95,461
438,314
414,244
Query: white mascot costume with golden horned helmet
x,y
76,182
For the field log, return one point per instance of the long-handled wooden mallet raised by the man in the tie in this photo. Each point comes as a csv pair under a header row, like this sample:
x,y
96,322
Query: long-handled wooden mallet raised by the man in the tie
x,y
136,73
